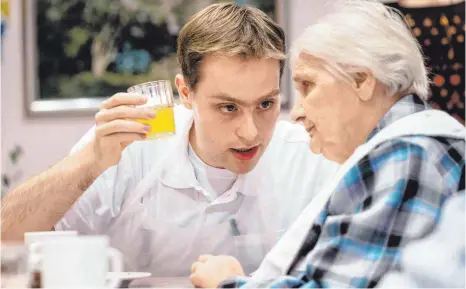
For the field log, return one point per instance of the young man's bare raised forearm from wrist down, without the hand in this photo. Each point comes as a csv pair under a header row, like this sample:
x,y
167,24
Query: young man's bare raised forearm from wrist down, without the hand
x,y
39,203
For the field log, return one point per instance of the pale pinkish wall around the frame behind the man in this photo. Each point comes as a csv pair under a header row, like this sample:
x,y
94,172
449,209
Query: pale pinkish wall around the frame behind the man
x,y
46,140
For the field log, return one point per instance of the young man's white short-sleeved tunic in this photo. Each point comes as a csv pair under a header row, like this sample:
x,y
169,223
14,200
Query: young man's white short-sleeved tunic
x,y
157,214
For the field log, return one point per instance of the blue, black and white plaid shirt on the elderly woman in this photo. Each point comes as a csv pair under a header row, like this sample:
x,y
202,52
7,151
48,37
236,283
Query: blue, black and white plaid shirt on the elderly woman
x,y
392,196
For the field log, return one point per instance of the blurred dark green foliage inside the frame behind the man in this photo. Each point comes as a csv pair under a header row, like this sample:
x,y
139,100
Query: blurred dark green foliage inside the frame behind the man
x,y
81,42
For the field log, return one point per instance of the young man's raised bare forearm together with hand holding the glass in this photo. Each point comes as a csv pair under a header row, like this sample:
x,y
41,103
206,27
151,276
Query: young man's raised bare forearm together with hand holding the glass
x,y
58,188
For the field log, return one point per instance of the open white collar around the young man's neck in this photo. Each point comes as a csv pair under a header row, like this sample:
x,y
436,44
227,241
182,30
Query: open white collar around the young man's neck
x,y
176,170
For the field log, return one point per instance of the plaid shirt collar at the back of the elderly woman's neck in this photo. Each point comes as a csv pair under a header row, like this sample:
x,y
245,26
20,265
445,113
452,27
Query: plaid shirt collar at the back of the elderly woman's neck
x,y
407,105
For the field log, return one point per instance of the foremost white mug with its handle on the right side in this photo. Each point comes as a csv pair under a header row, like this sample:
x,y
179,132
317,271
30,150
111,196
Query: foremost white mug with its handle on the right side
x,y
80,263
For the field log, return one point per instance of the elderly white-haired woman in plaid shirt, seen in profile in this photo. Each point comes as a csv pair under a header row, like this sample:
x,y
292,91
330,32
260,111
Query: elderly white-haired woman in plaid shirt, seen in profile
x,y
363,86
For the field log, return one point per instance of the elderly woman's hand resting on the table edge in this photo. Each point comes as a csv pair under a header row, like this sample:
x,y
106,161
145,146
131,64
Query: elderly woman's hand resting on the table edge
x,y
209,271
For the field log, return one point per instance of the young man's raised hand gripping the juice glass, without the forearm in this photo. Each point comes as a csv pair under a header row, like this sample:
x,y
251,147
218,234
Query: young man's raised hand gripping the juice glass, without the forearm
x,y
116,128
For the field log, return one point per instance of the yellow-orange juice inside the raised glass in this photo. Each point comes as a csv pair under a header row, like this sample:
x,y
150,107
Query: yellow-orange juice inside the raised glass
x,y
163,124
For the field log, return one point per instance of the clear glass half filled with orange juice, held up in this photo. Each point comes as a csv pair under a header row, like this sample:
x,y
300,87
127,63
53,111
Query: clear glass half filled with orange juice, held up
x,y
160,99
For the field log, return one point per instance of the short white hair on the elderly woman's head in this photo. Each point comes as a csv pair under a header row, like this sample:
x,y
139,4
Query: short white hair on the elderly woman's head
x,y
366,36
